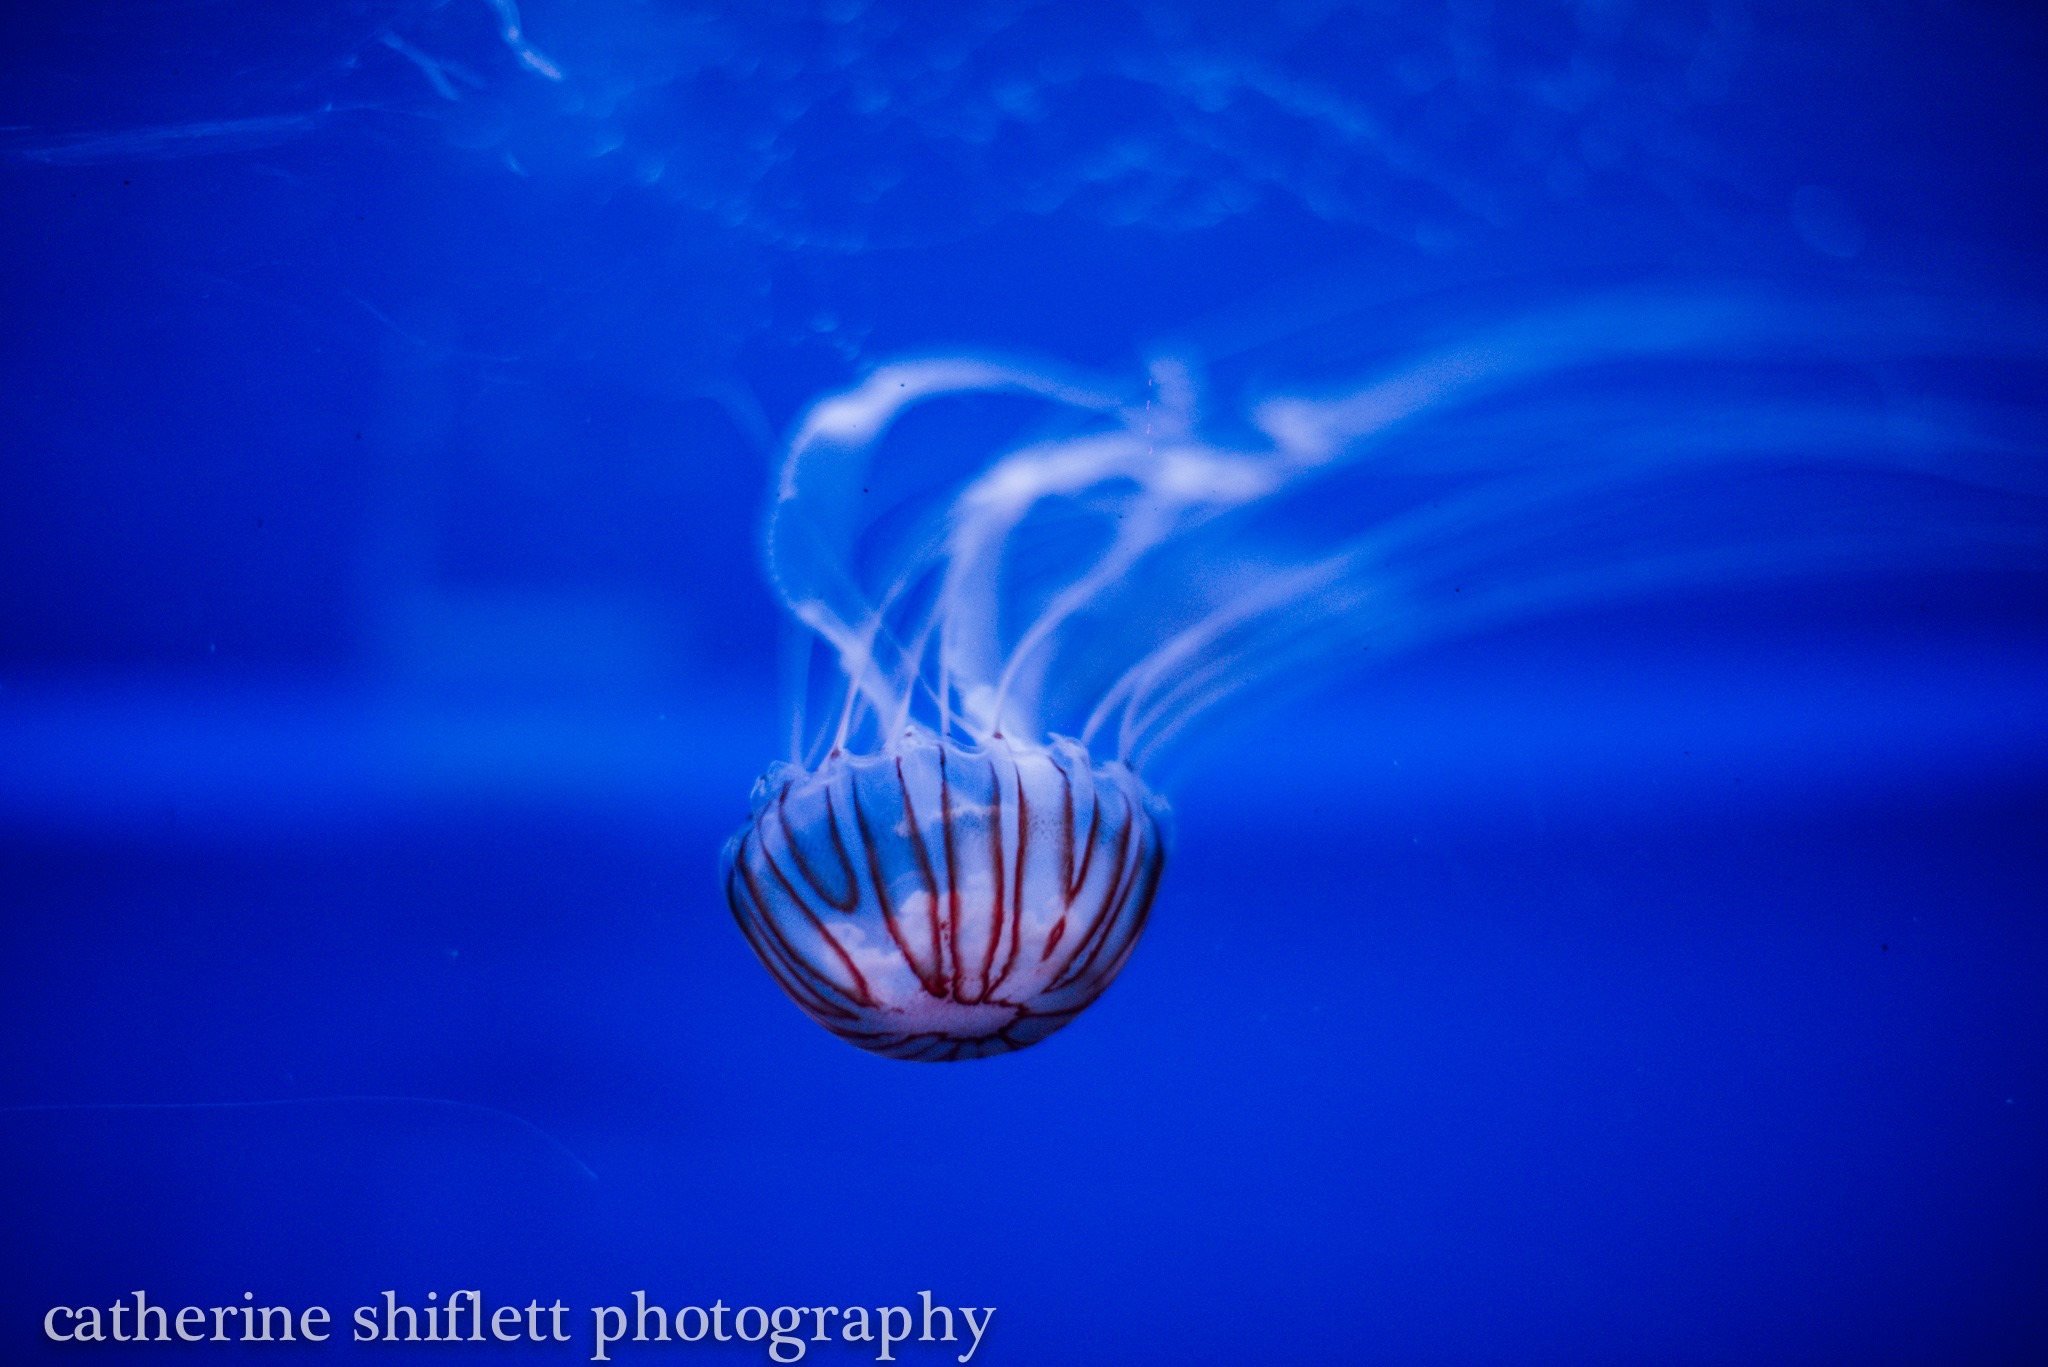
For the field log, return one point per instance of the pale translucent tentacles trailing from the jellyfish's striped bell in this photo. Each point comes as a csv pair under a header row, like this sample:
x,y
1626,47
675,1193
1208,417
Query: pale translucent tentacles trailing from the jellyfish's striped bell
x,y
990,548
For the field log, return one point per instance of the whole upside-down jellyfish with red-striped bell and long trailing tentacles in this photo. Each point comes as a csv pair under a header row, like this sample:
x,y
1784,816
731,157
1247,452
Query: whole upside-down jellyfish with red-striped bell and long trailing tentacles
x,y
1019,587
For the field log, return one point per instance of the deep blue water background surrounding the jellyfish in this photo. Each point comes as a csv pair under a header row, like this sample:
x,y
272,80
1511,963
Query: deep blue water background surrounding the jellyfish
x,y
384,659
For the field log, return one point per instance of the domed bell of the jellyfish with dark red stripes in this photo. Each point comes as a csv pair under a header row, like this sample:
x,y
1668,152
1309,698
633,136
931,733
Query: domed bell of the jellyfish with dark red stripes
x,y
941,903
